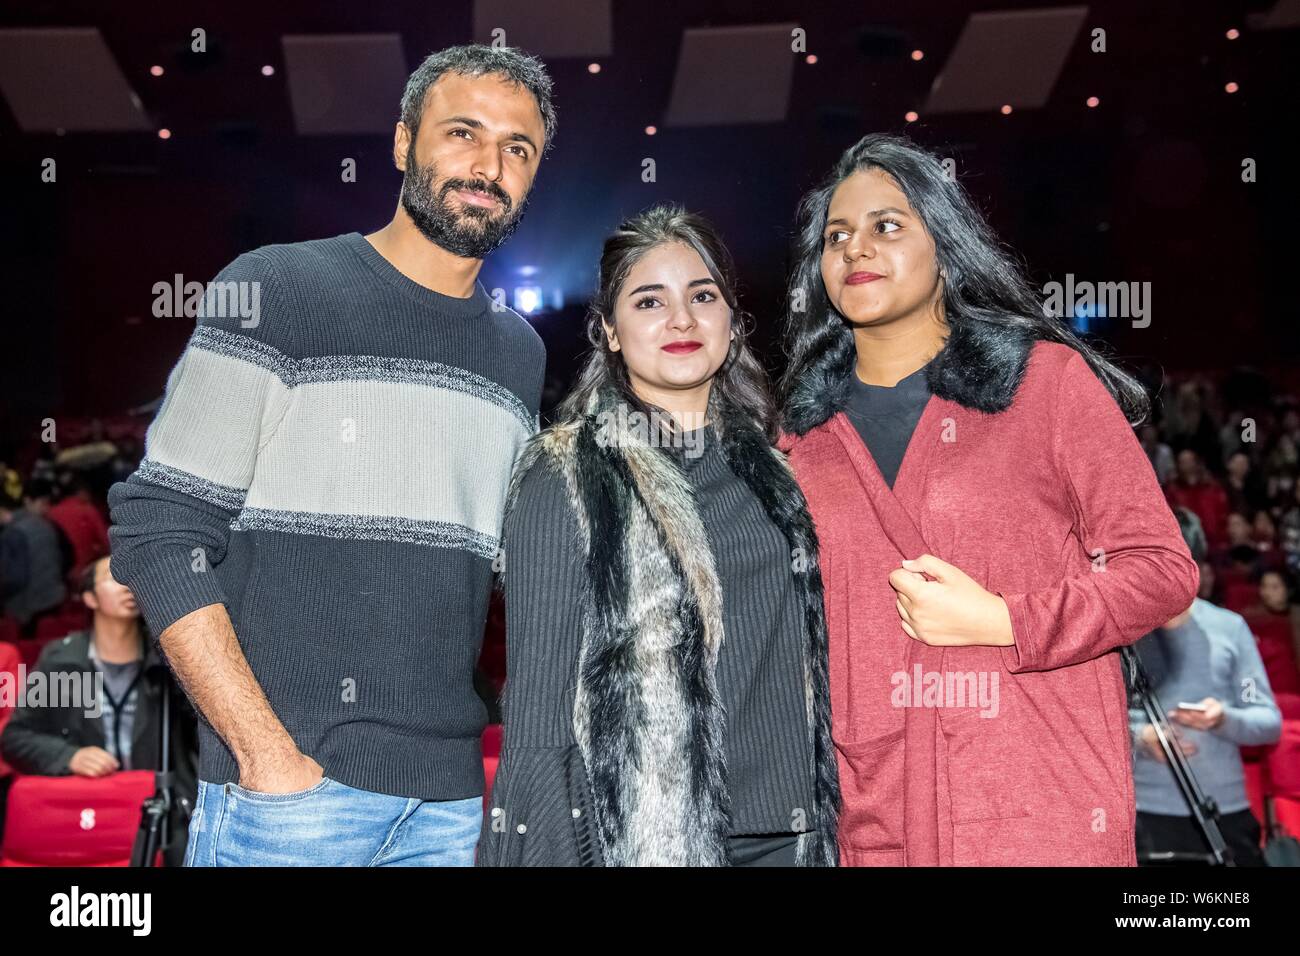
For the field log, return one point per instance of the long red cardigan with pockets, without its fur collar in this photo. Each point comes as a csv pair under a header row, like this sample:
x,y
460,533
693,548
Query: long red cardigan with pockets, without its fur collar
x,y
1052,505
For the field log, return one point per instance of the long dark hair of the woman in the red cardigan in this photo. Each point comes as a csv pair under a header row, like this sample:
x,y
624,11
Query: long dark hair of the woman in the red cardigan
x,y
982,282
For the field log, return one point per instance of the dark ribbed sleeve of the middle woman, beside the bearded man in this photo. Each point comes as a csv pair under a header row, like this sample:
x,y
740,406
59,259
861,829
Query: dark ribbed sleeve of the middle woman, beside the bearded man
x,y
540,812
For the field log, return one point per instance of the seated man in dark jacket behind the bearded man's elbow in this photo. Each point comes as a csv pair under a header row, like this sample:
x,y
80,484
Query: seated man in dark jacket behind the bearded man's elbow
x,y
119,728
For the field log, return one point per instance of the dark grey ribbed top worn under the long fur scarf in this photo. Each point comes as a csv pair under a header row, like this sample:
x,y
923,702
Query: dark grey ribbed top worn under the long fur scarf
x,y
760,667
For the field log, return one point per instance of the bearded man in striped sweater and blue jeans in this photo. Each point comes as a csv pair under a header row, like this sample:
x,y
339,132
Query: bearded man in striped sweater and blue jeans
x,y
314,526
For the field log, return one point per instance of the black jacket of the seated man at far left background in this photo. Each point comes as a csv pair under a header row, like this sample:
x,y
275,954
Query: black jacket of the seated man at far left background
x,y
42,741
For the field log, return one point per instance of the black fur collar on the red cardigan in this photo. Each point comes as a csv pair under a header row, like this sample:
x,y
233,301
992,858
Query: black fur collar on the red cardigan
x,y
980,367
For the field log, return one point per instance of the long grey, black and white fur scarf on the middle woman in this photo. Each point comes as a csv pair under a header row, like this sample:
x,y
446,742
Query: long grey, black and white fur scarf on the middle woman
x,y
648,716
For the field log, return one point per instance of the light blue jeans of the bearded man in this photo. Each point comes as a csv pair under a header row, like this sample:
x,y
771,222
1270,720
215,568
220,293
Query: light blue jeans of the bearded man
x,y
330,825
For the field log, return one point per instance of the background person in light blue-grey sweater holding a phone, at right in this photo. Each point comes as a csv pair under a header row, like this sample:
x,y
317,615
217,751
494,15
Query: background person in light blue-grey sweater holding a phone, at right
x,y
1206,657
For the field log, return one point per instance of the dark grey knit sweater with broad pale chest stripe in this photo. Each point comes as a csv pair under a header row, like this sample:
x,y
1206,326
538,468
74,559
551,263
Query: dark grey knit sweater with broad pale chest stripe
x,y
333,469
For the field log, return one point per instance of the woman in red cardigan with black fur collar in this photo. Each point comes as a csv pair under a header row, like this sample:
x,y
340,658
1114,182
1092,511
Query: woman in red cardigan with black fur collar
x,y
991,531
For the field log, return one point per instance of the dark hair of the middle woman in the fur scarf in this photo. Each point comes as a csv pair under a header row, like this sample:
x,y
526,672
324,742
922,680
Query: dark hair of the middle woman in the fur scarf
x,y
742,380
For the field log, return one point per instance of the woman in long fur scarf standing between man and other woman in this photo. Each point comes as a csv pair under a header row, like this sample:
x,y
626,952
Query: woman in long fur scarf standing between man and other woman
x,y
668,694
